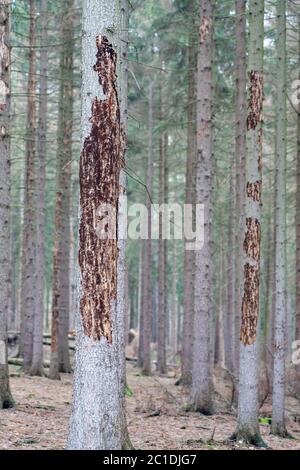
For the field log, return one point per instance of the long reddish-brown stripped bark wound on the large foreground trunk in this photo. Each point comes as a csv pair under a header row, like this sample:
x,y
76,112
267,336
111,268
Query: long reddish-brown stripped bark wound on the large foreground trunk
x,y
100,164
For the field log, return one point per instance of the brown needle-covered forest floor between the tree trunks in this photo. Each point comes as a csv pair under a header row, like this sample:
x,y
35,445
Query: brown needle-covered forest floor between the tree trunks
x,y
156,416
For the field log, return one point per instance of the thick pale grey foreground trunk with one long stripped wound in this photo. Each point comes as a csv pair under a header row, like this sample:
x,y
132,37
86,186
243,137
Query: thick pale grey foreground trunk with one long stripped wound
x,y
97,415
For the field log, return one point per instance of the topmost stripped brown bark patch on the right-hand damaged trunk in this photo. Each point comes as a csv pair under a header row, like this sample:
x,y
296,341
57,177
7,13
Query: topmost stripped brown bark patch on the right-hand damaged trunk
x,y
255,114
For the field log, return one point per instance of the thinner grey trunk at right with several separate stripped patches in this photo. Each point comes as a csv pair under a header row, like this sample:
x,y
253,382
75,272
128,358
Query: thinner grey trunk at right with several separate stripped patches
x,y
247,426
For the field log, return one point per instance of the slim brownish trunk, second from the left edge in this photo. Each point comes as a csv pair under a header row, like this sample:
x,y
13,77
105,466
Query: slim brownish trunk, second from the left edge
x,y
28,242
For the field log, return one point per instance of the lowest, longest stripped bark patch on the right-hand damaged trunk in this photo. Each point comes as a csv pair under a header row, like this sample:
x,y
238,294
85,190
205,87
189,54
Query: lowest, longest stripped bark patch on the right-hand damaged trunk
x,y
250,304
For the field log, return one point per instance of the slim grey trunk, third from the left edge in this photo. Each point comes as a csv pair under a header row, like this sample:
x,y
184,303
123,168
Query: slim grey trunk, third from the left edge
x,y
37,354
